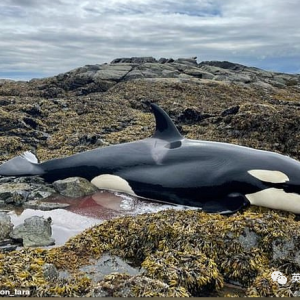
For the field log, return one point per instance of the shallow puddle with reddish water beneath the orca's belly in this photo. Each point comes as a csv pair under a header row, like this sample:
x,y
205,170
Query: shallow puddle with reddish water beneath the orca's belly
x,y
88,211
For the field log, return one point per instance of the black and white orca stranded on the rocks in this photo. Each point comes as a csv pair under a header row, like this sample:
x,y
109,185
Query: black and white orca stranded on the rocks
x,y
216,177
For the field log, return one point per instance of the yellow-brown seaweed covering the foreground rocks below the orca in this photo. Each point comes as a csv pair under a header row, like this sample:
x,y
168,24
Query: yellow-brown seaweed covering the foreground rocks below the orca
x,y
181,251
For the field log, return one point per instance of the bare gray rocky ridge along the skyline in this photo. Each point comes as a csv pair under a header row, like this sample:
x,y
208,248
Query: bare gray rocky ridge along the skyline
x,y
101,77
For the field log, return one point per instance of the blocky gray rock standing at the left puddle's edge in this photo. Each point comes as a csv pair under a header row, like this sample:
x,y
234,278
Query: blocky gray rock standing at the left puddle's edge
x,y
34,232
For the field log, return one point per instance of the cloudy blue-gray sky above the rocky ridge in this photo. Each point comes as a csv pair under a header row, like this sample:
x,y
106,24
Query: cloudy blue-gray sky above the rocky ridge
x,y
40,38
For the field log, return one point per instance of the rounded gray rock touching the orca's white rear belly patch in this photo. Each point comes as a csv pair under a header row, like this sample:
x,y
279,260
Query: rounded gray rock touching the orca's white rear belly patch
x,y
74,187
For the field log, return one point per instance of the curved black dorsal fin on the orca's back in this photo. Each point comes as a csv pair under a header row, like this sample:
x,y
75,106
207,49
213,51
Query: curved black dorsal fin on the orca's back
x,y
165,128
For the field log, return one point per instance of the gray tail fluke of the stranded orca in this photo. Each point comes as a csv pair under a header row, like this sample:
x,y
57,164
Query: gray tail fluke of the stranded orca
x,y
26,164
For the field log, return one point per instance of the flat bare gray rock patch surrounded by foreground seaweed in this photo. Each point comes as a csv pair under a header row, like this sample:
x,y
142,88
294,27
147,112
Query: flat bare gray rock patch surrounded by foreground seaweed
x,y
106,265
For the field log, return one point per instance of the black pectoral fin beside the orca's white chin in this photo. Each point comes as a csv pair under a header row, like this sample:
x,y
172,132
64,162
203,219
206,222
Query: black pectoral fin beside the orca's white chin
x,y
227,205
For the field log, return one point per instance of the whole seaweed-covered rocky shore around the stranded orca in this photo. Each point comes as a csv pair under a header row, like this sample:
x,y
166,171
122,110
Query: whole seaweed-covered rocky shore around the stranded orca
x,y
170,253
